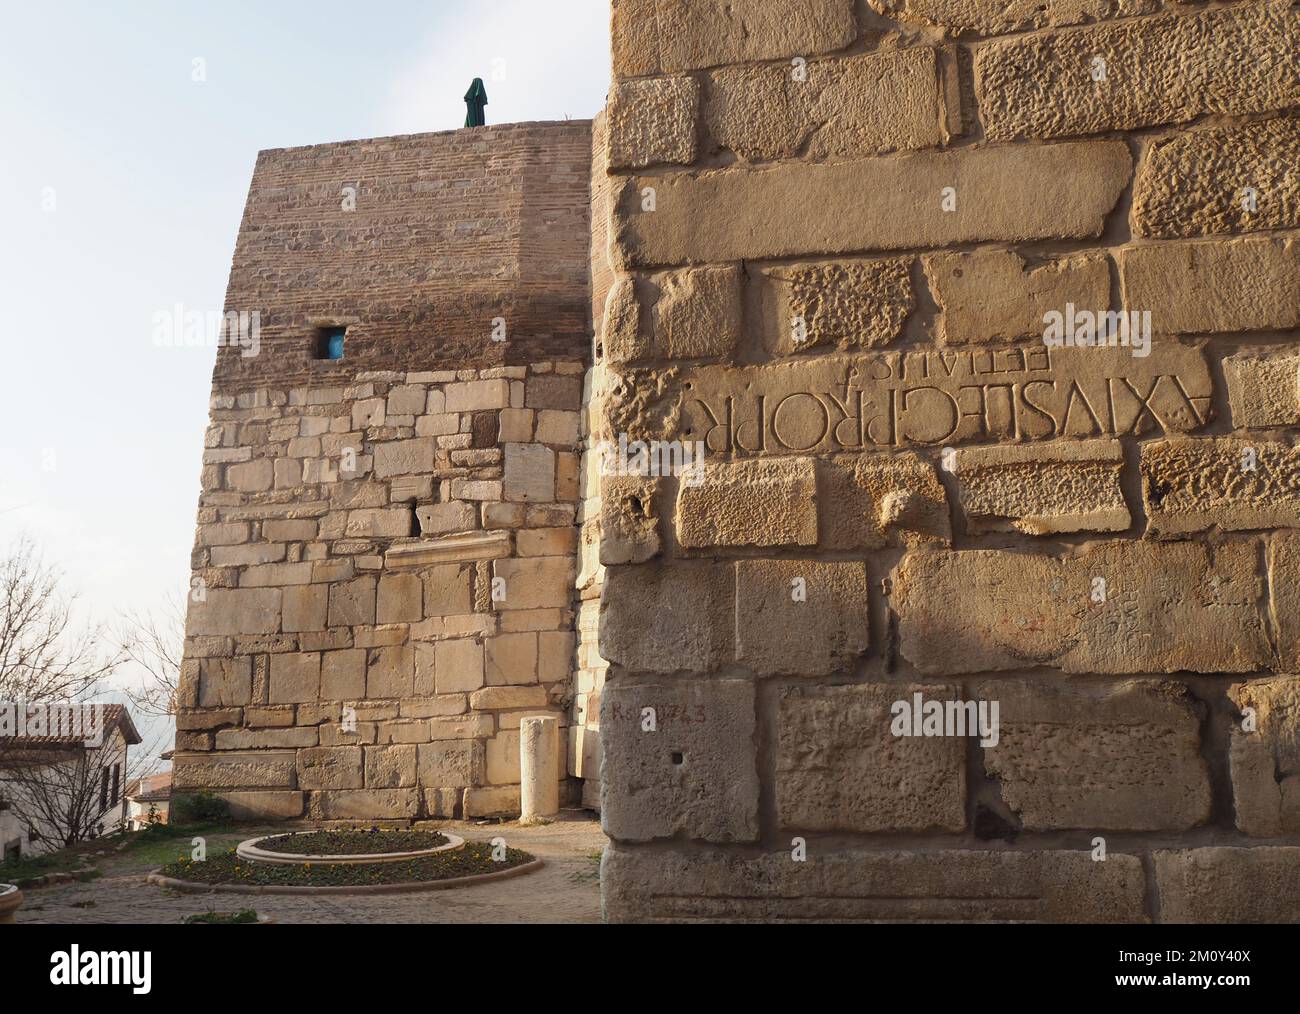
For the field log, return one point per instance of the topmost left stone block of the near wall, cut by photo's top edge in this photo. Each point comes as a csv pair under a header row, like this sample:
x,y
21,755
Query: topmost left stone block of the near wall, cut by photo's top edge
x,y
656,37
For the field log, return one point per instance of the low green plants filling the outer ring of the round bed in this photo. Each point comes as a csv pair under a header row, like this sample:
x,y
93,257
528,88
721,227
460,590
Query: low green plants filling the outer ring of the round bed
x,y
229,869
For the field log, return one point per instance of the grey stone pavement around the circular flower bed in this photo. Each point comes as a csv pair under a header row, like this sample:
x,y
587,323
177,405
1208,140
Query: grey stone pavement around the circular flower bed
x,y
565,891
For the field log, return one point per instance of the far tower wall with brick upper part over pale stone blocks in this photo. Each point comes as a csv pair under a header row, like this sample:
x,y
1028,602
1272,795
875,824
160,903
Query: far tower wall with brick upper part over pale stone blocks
x,y
385,560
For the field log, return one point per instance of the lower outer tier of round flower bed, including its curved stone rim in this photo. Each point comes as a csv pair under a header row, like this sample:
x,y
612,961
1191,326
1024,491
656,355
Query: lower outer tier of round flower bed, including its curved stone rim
x,y
231,872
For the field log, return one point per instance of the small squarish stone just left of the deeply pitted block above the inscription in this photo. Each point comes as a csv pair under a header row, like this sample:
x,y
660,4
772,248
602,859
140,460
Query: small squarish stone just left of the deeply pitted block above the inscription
x,y
699,314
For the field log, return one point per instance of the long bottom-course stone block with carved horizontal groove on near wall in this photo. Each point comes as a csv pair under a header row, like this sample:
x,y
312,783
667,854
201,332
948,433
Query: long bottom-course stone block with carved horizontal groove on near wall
x,y
946,886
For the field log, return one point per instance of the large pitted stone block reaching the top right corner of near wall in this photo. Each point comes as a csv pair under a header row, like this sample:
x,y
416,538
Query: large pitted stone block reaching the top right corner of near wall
x,y
1156,71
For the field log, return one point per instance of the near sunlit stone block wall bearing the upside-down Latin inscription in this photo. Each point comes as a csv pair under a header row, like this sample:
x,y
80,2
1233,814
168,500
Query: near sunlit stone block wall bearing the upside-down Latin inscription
x,y
839,235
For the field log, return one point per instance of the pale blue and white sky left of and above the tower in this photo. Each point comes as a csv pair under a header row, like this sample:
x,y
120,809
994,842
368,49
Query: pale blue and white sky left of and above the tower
x,y
124,183
